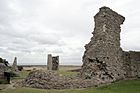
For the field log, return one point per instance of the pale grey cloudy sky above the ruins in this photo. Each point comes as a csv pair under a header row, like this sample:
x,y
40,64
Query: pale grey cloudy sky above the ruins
x,y
31,29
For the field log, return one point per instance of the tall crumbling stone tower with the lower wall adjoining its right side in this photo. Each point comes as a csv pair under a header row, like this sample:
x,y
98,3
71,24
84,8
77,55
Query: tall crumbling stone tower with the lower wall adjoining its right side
x,y
104,59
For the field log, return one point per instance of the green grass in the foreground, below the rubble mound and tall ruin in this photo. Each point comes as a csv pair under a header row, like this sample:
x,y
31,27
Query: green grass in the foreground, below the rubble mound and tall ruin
x,y
127,86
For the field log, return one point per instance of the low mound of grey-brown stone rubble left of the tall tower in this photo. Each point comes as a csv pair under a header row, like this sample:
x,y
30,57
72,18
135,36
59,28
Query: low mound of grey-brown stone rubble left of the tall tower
x,y
51,80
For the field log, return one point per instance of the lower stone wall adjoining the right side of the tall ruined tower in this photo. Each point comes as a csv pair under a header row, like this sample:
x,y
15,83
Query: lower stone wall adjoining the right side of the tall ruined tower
x,y
132,64
